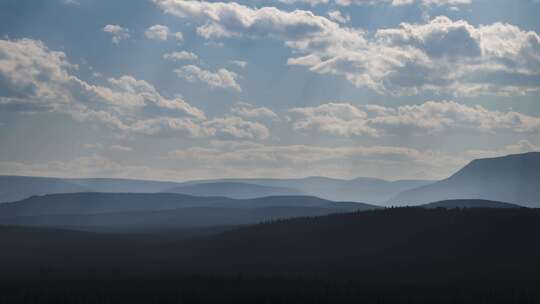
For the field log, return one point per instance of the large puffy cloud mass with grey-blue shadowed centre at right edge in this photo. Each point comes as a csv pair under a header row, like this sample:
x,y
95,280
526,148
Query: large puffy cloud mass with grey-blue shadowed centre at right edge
x,y
442,56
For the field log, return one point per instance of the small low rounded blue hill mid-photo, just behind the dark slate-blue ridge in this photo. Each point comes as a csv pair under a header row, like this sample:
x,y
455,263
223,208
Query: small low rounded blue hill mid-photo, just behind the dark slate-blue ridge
x,y
233,190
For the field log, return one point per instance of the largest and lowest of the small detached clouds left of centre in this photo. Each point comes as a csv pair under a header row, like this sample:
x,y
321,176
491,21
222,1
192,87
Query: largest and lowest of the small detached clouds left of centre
x,y
222,78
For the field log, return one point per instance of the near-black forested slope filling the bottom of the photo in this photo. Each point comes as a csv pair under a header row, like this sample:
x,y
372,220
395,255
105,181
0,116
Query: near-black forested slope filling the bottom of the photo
x,y
410,255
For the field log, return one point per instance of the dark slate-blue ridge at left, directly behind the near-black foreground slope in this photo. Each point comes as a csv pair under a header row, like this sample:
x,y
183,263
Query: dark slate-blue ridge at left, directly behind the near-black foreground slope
x,y
159,211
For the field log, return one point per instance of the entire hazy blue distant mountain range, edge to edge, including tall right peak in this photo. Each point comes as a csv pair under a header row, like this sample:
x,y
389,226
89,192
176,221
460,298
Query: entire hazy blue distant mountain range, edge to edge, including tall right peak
x,y
513,179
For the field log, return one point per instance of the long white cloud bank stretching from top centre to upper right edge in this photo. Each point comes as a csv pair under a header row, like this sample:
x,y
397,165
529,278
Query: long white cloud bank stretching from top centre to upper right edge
x,y
442,56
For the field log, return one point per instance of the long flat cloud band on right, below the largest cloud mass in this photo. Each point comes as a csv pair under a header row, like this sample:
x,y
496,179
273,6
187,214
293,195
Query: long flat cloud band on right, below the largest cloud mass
x,y
346,120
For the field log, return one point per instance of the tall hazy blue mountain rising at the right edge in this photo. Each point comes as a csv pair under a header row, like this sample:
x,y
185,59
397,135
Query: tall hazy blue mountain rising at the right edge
x,y
513,178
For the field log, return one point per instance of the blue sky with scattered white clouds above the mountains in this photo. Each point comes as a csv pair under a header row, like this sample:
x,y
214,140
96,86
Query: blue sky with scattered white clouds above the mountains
x,y
183,89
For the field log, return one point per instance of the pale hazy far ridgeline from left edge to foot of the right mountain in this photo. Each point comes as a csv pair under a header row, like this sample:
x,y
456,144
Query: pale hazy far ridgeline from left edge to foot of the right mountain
x,y
373,191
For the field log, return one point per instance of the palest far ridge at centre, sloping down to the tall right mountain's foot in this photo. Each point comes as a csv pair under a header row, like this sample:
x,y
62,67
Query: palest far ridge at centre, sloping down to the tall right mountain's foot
x,y
367,190
